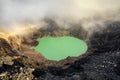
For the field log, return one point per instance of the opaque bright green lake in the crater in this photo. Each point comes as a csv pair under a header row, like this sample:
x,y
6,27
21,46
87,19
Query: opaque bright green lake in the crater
x,y
58,48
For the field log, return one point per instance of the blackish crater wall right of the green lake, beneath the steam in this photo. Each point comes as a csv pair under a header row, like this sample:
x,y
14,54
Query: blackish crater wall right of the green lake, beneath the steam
x,y
108,39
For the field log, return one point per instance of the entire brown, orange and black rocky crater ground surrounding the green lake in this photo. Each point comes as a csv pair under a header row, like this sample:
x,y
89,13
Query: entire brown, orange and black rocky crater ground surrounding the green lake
x,y
19,61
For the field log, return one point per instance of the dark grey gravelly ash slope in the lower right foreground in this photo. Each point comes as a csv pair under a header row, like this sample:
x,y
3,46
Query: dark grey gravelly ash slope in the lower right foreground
x,y
105,66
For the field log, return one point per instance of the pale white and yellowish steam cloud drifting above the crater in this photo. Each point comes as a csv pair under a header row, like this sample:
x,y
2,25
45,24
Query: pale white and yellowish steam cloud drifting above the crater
x,y
87,12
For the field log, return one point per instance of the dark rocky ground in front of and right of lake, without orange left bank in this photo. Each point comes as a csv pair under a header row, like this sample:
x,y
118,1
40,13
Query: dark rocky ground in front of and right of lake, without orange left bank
x,y
102,61
